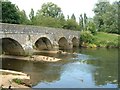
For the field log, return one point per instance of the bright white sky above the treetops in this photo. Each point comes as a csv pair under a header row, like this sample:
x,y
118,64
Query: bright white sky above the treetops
x,y
68,7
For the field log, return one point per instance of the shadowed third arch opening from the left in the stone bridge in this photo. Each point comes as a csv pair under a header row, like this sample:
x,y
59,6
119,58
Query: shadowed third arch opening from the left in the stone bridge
x,y
63,43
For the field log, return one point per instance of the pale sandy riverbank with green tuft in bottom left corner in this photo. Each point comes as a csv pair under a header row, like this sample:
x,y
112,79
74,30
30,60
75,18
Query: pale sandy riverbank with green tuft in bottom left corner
x,y
13,79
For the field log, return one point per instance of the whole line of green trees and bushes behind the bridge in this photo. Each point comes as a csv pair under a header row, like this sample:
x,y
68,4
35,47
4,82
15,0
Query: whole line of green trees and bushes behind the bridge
x,y
50,15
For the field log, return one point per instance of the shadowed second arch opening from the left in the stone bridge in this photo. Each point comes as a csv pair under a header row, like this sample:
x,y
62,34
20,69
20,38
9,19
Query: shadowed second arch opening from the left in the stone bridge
x,y
43,43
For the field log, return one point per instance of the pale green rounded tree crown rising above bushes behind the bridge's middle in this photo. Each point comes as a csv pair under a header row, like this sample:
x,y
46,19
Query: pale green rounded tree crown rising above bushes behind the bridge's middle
x,y
50,10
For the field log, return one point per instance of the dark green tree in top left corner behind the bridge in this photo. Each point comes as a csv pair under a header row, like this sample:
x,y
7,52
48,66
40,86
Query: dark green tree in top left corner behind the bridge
x,y
10,13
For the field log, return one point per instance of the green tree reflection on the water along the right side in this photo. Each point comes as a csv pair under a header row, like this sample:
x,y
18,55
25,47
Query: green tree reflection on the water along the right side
x,y
107,71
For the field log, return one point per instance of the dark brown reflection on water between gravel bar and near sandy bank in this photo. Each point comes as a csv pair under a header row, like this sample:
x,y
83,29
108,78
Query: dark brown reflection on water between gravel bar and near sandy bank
x,y
38,71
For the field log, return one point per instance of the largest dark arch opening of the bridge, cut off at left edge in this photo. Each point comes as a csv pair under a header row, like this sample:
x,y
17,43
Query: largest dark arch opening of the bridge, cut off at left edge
x,y
10,46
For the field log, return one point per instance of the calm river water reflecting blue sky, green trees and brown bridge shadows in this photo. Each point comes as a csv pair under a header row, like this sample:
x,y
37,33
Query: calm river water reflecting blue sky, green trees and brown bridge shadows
x,y
87,68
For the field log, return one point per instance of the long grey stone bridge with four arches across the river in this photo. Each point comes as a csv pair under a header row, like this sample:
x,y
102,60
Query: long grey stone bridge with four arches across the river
x,y
16,39
